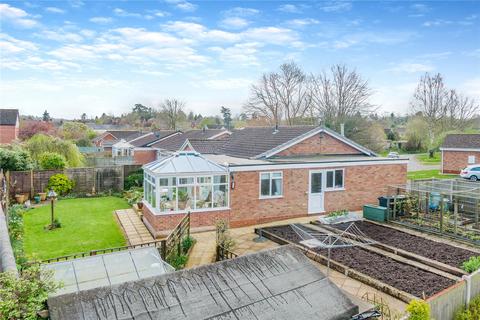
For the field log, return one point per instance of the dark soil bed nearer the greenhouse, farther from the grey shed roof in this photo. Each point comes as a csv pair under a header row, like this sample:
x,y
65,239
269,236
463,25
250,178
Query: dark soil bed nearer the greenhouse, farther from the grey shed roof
x,y
438,251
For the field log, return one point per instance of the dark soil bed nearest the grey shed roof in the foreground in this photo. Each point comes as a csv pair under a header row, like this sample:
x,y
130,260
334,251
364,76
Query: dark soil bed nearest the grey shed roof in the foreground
x,y
401,276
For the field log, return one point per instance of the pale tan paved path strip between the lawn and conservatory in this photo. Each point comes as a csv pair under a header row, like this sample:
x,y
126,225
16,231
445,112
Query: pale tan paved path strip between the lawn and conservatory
x,y
133,227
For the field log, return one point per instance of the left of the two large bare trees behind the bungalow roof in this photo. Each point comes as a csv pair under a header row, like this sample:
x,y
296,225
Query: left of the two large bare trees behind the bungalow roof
x,y
282,94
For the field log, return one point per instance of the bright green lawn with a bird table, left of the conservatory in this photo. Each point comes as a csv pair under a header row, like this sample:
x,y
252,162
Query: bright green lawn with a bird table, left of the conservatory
x,y
87,224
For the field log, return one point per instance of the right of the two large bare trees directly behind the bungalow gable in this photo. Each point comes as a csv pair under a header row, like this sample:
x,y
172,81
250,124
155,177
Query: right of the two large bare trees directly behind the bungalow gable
x,y
339,95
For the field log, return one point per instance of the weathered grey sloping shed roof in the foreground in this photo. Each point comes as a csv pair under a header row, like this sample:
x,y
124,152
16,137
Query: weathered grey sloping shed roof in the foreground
x,y
280,283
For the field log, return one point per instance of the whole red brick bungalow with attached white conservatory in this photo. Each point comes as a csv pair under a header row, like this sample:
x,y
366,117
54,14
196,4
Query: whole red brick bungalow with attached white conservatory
x,y
261,174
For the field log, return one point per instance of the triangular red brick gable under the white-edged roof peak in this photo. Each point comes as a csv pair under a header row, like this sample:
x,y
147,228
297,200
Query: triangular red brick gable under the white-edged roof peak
x,y
321,143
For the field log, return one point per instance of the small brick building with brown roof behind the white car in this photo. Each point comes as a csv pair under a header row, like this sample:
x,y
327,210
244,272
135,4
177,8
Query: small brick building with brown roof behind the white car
x,y
459,151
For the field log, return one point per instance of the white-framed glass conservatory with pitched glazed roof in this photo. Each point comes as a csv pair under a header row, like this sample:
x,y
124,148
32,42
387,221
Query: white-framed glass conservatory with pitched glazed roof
x,y
183,182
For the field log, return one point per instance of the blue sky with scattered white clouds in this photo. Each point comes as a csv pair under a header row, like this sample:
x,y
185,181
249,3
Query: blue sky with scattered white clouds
x,y
94,57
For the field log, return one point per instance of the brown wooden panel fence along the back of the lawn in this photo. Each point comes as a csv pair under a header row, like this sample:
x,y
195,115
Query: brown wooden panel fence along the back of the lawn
x,y
87,180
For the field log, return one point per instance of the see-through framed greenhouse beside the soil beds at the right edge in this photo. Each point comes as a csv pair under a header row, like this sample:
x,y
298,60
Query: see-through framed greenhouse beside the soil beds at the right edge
x,y
448,207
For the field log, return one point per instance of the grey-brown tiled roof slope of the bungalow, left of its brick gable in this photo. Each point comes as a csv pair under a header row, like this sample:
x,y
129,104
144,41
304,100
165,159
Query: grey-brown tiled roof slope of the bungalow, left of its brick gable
x,y
253,141
